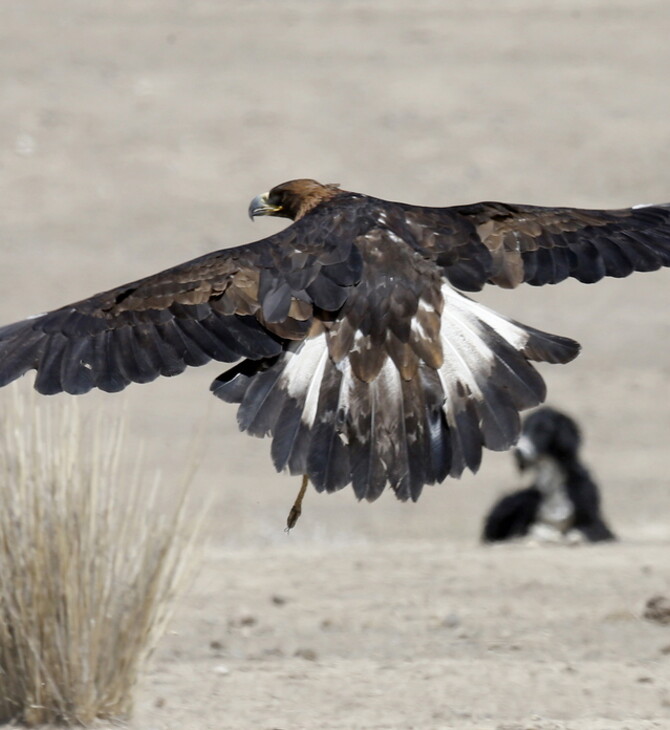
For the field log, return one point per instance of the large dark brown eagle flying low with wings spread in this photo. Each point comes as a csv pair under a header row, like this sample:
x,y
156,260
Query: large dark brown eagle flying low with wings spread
x,y
355,352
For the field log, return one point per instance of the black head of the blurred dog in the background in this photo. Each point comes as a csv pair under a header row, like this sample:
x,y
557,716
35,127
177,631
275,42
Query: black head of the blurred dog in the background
x,y
547,432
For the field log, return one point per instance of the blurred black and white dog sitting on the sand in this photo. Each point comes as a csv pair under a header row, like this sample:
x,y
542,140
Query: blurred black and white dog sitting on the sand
x,y
563,502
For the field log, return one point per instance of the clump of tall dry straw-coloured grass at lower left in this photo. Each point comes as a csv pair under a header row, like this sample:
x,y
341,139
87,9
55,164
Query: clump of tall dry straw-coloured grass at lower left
x,y
88,565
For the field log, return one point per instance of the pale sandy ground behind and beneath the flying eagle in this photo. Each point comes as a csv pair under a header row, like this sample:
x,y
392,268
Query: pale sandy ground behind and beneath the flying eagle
x,y
132,136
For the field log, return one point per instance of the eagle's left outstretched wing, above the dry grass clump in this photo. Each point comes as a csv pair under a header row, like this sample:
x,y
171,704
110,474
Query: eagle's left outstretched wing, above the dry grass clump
x,y
244,302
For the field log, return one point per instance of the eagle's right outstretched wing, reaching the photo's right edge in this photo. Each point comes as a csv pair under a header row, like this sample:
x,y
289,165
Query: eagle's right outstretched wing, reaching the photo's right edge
x,y
508,244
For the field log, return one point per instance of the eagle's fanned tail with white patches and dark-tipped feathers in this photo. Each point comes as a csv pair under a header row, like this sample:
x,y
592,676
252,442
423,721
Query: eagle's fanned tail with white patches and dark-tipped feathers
x,y
402,428
